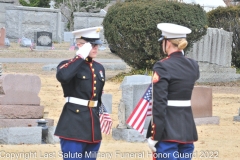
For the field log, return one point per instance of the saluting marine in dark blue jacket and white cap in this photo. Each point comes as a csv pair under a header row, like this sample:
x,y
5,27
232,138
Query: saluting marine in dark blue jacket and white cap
x,y
82,80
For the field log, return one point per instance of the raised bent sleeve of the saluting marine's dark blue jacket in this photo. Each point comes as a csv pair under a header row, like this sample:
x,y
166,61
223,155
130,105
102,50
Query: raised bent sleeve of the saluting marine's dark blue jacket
x,y
67,69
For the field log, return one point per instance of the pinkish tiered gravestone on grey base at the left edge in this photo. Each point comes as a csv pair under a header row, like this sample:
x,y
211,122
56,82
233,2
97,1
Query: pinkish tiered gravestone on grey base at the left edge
x,y
20,109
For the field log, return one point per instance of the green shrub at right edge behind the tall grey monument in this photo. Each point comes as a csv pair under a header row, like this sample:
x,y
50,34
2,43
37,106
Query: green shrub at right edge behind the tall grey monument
x,y
228,19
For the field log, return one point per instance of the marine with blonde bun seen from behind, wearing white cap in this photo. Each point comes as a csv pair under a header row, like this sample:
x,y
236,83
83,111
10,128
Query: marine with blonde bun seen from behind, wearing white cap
x,y
172,131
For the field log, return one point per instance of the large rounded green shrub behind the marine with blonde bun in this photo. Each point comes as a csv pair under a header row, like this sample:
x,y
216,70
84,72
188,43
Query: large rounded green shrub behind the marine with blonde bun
x,y
131,28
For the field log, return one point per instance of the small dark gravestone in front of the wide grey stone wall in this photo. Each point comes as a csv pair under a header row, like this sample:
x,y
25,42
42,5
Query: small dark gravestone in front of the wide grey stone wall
x,y
43,40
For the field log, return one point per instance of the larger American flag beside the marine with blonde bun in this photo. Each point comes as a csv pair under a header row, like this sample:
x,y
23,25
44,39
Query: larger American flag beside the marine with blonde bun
x,y
141,111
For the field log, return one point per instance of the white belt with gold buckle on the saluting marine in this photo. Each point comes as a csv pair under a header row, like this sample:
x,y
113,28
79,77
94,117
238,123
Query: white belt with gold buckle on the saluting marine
x,y
82,102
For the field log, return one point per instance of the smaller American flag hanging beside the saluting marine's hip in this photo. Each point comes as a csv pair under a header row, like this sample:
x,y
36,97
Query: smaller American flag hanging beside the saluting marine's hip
x,y
105,120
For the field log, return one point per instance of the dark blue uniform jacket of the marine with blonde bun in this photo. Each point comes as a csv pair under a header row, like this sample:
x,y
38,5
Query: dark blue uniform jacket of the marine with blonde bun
x,y
177,76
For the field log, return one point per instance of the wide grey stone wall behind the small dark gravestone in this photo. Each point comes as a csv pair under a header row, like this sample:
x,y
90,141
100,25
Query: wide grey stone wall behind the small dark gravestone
x,y
24,21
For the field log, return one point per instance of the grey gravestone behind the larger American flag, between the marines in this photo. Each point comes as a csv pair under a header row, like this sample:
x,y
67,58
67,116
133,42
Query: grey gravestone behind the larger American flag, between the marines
x,y
133,88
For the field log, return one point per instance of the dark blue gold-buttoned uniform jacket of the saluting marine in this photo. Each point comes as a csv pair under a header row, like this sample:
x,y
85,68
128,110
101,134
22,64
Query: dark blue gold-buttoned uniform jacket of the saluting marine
x,y
82,79
